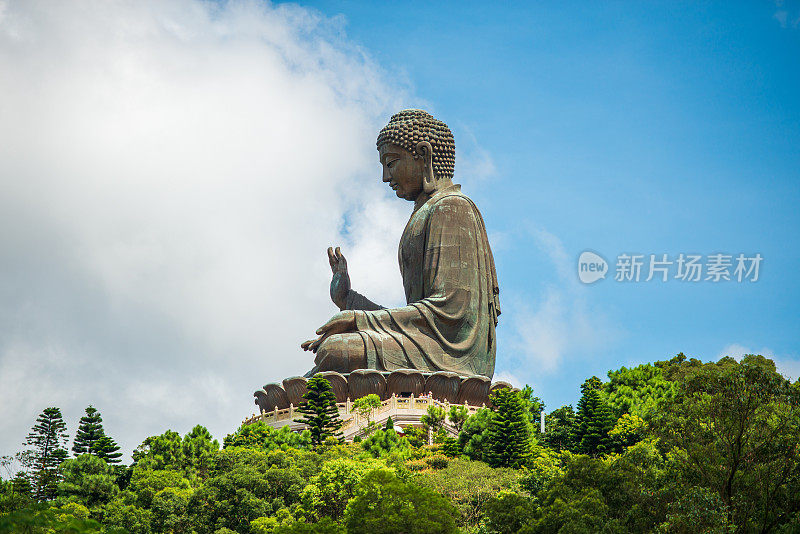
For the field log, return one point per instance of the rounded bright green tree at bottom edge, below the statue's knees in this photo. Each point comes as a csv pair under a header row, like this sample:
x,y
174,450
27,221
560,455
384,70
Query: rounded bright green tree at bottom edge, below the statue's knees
x,y
386,505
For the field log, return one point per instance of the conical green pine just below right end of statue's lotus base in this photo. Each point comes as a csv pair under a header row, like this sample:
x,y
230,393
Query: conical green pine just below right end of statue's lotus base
x,y
509,434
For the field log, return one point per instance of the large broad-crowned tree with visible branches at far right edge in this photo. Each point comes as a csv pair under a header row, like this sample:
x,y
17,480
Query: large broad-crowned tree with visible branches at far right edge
x,y
734,427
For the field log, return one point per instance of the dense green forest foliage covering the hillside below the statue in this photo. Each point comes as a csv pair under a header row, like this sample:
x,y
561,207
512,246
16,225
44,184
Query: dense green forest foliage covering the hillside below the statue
x,y
679,446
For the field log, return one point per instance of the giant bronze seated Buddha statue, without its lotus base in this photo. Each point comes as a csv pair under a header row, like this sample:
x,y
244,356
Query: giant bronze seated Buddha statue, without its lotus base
x,y
452,295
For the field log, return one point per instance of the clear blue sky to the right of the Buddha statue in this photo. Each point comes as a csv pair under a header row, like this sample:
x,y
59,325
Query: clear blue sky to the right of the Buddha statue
x,y
648,127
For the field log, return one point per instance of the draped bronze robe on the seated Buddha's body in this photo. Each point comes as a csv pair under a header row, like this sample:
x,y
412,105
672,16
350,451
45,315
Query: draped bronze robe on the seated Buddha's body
x,y
451,290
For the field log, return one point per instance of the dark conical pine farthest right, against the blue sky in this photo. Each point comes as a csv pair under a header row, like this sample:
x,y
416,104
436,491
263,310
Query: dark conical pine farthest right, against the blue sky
x,y
594,420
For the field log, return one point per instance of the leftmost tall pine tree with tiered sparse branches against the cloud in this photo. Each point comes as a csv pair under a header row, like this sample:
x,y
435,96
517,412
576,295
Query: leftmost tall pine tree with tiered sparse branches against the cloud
x,y
48,440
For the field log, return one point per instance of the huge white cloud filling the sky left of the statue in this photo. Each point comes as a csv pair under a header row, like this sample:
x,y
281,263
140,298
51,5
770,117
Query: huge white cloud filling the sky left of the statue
x,y
171,173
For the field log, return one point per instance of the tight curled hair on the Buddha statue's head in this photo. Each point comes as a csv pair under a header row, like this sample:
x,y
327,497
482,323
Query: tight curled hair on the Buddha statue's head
x,y
413,126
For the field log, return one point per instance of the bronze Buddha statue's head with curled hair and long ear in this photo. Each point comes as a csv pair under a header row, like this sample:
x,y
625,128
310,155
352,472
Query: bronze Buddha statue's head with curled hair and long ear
x,y
417,152
